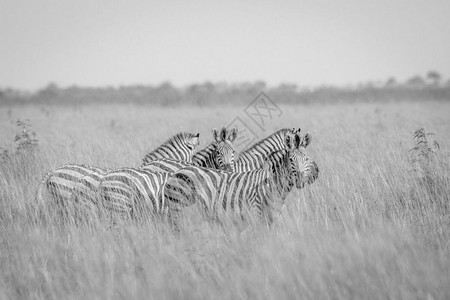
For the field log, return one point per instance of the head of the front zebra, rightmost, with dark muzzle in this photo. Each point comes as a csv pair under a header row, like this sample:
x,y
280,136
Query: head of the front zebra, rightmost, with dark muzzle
x,y
301,168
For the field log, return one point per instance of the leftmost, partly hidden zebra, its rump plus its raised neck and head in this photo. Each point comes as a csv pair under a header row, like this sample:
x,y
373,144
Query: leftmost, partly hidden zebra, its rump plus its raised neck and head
x,y
75,182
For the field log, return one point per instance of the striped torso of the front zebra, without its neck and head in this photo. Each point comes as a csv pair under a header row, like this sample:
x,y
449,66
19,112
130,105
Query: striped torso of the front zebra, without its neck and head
x,y
216,192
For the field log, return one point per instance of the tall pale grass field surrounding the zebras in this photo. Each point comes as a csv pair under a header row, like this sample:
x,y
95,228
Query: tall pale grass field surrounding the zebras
x,y
369,227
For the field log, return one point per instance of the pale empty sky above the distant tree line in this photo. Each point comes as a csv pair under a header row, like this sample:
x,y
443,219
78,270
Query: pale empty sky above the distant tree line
x,y
112,42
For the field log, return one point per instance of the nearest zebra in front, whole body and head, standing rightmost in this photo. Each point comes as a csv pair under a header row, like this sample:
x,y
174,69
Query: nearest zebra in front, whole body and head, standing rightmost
x,y
236,193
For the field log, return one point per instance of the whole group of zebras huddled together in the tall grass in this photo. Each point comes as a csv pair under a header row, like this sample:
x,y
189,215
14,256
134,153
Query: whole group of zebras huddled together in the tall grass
x,y
175,176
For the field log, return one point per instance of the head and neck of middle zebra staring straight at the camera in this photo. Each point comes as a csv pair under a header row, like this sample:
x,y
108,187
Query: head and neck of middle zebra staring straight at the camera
x,y
219,154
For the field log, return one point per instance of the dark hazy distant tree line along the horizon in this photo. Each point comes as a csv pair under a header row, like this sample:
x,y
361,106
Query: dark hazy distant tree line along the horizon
x,y
430,87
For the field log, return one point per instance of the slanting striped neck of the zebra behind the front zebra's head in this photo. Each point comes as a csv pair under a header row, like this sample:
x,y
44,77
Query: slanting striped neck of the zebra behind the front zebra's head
x,y
254,157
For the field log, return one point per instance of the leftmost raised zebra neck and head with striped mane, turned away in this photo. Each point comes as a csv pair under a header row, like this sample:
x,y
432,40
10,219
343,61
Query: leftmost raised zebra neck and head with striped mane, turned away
x,y
179,147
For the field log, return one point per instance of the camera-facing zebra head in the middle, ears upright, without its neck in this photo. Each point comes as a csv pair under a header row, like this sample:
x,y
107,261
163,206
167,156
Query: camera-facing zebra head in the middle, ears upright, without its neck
x,y
223,153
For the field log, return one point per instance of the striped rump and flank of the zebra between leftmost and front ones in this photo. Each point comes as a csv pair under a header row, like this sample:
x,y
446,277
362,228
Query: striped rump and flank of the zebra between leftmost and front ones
x,y
133,192
